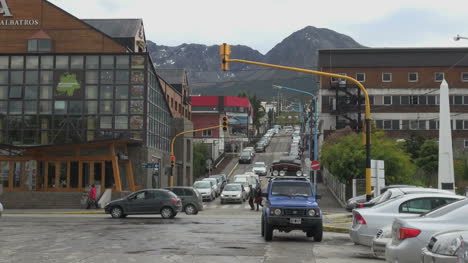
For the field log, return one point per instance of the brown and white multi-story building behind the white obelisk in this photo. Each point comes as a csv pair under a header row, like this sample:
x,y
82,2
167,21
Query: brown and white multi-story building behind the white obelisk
x,y
403,85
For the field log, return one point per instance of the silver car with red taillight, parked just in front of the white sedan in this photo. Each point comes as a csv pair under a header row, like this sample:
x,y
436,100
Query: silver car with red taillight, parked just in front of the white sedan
x,y
410,235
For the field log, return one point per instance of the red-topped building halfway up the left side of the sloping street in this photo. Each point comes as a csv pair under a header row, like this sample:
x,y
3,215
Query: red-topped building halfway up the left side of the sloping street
x,y
209,111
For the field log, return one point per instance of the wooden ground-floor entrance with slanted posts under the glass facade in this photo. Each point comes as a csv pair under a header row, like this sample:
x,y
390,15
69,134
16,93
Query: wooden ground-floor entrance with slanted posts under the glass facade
x,y
40,168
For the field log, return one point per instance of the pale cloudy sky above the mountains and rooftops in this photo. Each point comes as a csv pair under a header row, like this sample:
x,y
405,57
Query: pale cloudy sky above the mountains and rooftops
x,y
261,24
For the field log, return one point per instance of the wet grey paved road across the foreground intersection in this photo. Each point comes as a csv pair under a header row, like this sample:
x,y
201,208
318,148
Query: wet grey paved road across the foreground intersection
x,y
225,237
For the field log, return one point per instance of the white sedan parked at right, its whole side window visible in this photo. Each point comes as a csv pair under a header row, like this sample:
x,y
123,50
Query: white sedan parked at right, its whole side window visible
x,y
368,221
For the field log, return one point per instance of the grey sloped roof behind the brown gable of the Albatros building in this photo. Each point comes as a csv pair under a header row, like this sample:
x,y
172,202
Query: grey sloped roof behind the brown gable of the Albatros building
x,y
116,28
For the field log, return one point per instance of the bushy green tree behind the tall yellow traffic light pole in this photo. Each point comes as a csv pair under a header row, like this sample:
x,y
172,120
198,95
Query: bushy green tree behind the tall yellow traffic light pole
x,y
344,157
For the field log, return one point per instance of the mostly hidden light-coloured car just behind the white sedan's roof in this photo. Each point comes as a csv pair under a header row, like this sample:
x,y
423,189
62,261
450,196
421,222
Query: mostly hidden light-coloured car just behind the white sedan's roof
x,y
395,192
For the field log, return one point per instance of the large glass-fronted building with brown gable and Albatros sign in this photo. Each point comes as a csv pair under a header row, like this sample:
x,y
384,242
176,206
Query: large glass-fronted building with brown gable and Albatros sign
x,y
80,103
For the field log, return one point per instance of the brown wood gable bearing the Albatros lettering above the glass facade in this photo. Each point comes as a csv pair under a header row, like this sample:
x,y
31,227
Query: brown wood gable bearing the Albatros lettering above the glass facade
x,y
68,33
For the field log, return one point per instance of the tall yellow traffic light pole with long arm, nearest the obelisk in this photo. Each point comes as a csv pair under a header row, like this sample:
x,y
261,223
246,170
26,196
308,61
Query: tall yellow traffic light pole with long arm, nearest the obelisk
x,y
225,52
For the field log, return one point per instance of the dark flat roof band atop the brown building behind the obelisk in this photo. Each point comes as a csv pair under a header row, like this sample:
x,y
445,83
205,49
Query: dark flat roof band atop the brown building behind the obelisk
x,y
393,57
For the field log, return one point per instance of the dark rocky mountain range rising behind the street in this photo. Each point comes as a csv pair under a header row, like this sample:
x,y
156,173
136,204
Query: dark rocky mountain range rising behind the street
x,y
297,50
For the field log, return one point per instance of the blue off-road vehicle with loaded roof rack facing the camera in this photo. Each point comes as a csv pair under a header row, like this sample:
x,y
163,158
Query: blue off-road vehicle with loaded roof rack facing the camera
x,y
291,204
